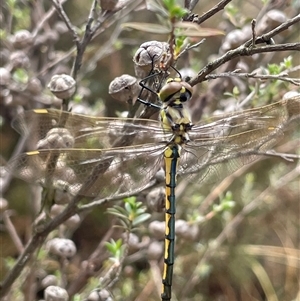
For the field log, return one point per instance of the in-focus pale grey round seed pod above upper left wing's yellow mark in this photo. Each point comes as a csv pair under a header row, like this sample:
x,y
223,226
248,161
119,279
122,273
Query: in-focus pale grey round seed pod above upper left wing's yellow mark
x,y
62,86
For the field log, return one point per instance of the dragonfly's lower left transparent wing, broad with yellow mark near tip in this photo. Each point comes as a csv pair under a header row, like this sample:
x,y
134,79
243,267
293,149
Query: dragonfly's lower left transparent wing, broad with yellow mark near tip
x,y
95,173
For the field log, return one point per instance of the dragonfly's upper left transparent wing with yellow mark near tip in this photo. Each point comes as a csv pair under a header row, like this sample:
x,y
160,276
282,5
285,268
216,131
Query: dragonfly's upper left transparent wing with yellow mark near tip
x,y
56,129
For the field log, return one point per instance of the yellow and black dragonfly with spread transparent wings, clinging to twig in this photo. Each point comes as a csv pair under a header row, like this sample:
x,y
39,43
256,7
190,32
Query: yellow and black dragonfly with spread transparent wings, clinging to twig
x,y
102,157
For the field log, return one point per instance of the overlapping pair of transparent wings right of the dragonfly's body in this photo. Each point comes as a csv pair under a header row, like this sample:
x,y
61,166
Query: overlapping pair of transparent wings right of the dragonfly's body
x,y
233,140
